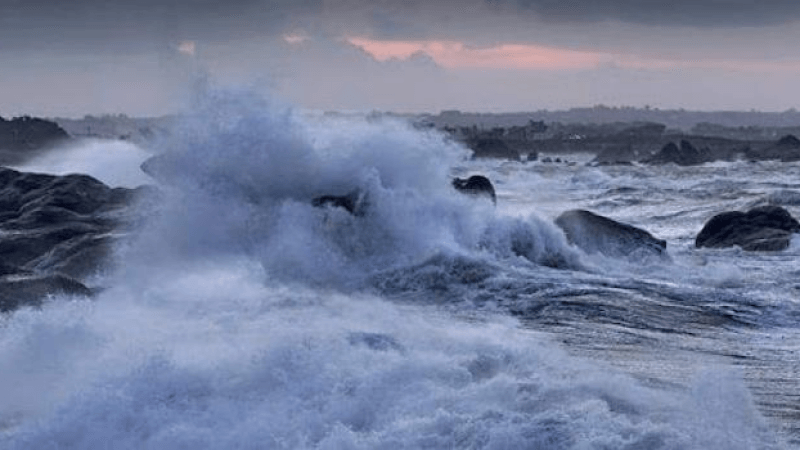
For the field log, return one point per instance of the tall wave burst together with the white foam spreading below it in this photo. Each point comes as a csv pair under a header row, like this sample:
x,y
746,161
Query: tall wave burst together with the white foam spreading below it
x,y
244,317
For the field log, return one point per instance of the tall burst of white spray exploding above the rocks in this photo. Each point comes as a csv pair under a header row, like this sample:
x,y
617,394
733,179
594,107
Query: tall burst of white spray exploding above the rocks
x,y
242,174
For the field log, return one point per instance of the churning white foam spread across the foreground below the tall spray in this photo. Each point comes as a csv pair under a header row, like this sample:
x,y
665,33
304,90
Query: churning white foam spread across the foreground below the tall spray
x,y
218,360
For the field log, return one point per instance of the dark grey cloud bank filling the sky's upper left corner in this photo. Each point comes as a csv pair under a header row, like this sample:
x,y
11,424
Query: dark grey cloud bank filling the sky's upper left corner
x,y
121,24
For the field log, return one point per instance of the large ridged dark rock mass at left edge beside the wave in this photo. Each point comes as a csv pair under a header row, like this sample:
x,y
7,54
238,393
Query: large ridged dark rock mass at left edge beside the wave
x,y
55,232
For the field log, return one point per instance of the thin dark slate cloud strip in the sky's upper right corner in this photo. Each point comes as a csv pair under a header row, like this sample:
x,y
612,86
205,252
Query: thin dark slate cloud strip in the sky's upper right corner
x,y
692,13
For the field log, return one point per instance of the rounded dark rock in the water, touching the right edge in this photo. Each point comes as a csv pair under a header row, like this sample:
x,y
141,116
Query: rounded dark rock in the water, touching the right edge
x,y
766,228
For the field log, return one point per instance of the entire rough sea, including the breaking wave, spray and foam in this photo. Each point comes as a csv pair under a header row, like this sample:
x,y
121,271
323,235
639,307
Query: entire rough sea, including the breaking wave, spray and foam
x,y
236,315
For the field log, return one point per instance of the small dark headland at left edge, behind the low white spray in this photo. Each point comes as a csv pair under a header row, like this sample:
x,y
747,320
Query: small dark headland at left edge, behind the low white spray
x,y
22,137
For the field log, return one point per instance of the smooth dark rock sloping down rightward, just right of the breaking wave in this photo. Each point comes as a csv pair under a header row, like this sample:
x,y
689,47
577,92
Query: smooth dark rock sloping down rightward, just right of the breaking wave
x,y
597,234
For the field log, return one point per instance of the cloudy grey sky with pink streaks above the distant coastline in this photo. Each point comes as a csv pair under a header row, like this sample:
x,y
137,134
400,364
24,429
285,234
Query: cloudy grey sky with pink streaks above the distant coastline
x,y
143,57
